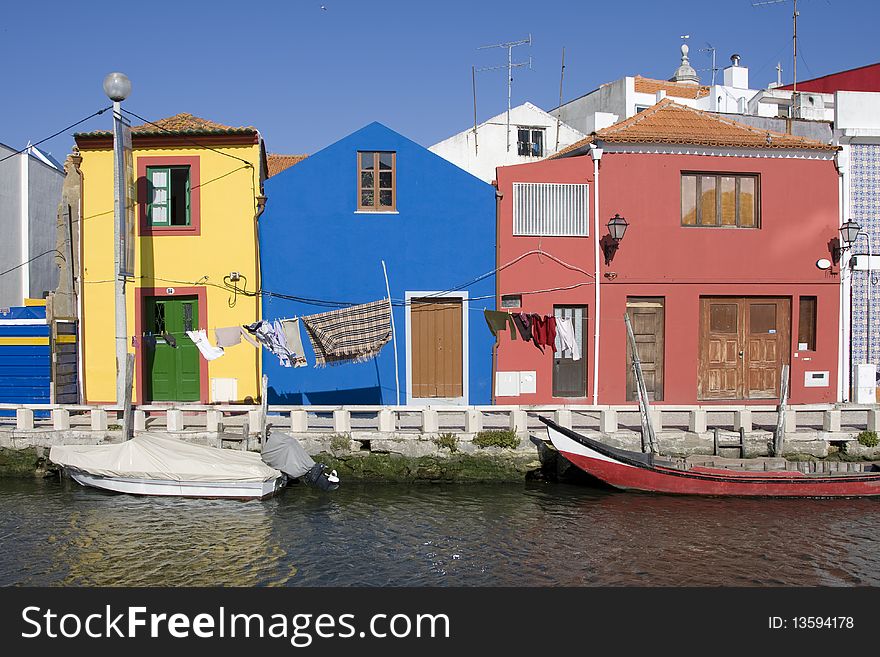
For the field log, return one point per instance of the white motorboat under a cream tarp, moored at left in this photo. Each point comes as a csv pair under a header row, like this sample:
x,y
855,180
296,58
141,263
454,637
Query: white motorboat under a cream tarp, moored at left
x,y
151,464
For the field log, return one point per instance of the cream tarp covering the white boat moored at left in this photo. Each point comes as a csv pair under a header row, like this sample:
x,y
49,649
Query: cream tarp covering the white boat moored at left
x,y
153,456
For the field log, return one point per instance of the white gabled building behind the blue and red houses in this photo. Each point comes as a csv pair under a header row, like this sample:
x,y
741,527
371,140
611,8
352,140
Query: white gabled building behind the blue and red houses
x,y
530,134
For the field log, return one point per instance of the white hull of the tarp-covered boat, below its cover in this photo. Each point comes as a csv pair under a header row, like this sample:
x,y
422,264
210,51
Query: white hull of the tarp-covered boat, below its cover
x,y
251,490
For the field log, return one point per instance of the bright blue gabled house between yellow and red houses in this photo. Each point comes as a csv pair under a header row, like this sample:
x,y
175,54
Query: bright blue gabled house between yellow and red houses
x,y
329,224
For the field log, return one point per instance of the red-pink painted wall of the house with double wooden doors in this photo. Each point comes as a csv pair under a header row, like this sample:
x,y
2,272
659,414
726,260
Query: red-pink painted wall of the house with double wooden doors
x,y
659,257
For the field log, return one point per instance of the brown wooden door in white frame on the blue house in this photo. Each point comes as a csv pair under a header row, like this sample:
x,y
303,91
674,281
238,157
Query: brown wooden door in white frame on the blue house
x,y
436,348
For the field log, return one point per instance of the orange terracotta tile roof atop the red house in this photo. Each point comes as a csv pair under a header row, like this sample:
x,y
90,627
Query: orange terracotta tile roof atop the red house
x,y
668,122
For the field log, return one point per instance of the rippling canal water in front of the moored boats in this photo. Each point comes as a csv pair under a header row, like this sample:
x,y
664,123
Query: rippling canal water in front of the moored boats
x,y
535,534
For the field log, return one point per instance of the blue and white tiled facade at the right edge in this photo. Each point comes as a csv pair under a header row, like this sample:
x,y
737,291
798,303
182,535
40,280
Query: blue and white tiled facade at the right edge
x,y
865,210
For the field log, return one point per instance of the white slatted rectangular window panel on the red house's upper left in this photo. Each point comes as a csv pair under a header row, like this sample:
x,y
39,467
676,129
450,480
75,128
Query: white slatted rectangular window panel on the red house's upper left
x,y
551,209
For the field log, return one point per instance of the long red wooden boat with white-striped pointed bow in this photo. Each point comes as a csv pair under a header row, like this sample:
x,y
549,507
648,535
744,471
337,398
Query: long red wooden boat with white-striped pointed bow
x,y
645,472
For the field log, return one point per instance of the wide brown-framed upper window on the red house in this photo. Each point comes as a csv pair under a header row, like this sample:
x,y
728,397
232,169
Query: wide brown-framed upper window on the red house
x,y
710,199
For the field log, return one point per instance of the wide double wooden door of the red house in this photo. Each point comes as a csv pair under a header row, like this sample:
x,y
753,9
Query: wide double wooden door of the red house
x,y
744,343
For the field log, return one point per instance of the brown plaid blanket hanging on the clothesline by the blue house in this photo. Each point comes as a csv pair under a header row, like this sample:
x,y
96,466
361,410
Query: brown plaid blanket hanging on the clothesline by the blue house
x,y
352,334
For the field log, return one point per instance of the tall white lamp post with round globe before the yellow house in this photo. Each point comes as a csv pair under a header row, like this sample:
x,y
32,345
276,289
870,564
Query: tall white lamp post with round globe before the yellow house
x,y
117,87
